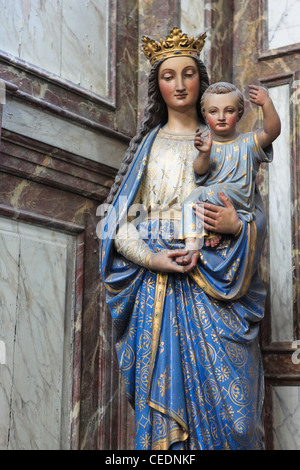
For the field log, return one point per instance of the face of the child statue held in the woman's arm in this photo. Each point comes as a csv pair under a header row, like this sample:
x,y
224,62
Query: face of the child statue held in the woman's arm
x,y
221,113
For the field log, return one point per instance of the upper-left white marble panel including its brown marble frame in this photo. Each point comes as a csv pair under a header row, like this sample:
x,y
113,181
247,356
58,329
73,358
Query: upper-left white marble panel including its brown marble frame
x,y
70,74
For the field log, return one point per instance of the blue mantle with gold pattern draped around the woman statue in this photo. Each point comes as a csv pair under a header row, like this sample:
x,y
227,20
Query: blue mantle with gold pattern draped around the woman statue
x,y
187,344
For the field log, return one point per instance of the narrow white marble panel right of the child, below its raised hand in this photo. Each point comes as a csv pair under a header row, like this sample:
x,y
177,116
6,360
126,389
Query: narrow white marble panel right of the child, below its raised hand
x,y
280,224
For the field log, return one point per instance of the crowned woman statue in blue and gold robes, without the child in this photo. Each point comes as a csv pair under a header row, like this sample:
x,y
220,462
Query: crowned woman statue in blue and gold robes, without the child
x,y
186,331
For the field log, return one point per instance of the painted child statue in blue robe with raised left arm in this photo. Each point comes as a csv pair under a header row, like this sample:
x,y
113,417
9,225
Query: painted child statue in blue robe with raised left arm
x,y
229,162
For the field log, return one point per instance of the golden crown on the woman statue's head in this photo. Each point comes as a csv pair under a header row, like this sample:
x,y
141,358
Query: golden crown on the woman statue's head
x,y
176,43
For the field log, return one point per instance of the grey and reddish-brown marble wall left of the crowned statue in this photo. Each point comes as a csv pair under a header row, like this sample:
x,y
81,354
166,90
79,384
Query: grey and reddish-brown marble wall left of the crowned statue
x,y
66,118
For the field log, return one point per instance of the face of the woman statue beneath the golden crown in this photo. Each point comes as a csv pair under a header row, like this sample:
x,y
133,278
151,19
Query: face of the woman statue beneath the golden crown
x,y
179,83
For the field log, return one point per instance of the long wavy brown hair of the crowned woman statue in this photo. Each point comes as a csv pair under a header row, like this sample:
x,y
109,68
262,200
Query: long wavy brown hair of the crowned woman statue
x,y
156,113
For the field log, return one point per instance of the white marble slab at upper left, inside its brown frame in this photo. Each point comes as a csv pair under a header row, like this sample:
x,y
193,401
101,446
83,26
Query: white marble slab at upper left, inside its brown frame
x,y
68,39
